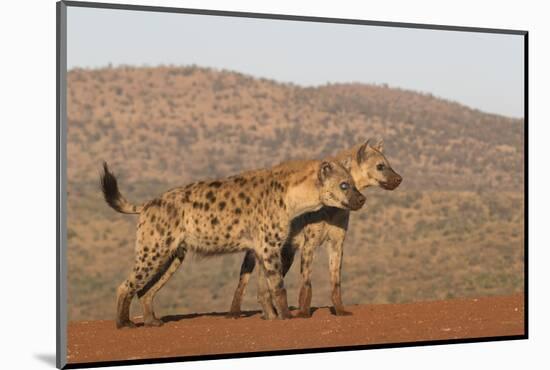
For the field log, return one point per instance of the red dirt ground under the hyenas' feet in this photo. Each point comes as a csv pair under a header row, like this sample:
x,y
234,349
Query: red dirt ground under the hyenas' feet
x,y
202,334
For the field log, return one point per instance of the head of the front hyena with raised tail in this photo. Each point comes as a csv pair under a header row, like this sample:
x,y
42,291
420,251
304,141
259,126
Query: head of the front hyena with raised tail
x,y
337,188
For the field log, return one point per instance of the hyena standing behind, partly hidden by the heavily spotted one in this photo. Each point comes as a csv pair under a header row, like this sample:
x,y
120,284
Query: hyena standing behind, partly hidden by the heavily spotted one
x,y
368,167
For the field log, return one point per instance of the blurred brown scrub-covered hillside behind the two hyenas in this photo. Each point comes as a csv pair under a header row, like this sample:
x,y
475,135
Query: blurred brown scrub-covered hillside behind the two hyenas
x,y
453,228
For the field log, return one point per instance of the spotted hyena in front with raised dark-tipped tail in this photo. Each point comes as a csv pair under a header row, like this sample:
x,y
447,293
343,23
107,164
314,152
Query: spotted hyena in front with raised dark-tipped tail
x,y
251,211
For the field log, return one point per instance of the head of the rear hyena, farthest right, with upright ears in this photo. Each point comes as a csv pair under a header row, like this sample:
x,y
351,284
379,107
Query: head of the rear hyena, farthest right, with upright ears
x,y
375,168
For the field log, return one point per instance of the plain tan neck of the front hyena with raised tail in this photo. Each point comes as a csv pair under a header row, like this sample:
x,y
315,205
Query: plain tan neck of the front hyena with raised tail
x,y
303,196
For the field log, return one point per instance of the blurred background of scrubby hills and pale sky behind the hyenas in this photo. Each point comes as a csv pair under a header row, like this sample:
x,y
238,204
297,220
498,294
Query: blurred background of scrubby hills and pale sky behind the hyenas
x,y
168,99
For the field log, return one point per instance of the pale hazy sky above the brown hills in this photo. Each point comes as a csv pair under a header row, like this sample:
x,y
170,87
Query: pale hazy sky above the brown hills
x,y
483,71
